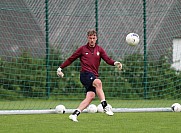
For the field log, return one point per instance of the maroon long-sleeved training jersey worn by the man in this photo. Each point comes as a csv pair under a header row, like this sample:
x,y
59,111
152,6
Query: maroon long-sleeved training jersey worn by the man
x,y
90,58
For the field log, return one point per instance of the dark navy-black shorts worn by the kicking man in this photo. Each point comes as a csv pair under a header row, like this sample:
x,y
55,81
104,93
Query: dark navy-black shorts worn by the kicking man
x,y
87,79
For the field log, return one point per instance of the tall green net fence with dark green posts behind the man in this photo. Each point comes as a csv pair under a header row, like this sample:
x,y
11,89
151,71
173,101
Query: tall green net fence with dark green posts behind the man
x,y
36,36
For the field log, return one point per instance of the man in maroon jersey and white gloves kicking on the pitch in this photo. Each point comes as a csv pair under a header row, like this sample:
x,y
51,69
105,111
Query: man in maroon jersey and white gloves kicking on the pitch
x,y
90,56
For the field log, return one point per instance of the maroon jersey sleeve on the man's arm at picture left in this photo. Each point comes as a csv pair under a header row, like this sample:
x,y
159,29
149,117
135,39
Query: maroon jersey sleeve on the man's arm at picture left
x,y
72,58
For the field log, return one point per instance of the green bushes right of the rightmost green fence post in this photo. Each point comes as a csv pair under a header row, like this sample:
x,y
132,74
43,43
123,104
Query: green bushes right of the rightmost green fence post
x,y
162,80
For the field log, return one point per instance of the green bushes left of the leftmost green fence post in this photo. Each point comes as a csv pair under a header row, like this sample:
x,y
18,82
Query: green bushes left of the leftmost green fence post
x,y
24,75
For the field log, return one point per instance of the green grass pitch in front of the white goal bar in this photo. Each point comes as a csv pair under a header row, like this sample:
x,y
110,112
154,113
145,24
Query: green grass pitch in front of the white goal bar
x,y
150,122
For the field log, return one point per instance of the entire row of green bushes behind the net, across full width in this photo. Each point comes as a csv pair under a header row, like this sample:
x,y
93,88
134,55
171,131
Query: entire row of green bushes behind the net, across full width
x,y
25,76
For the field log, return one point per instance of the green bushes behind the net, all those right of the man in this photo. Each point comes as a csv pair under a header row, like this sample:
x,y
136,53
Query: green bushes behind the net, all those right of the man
x,y
162,80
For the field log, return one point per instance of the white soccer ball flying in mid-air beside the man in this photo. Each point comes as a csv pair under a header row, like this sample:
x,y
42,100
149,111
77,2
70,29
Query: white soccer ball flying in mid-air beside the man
x,y
132,39
